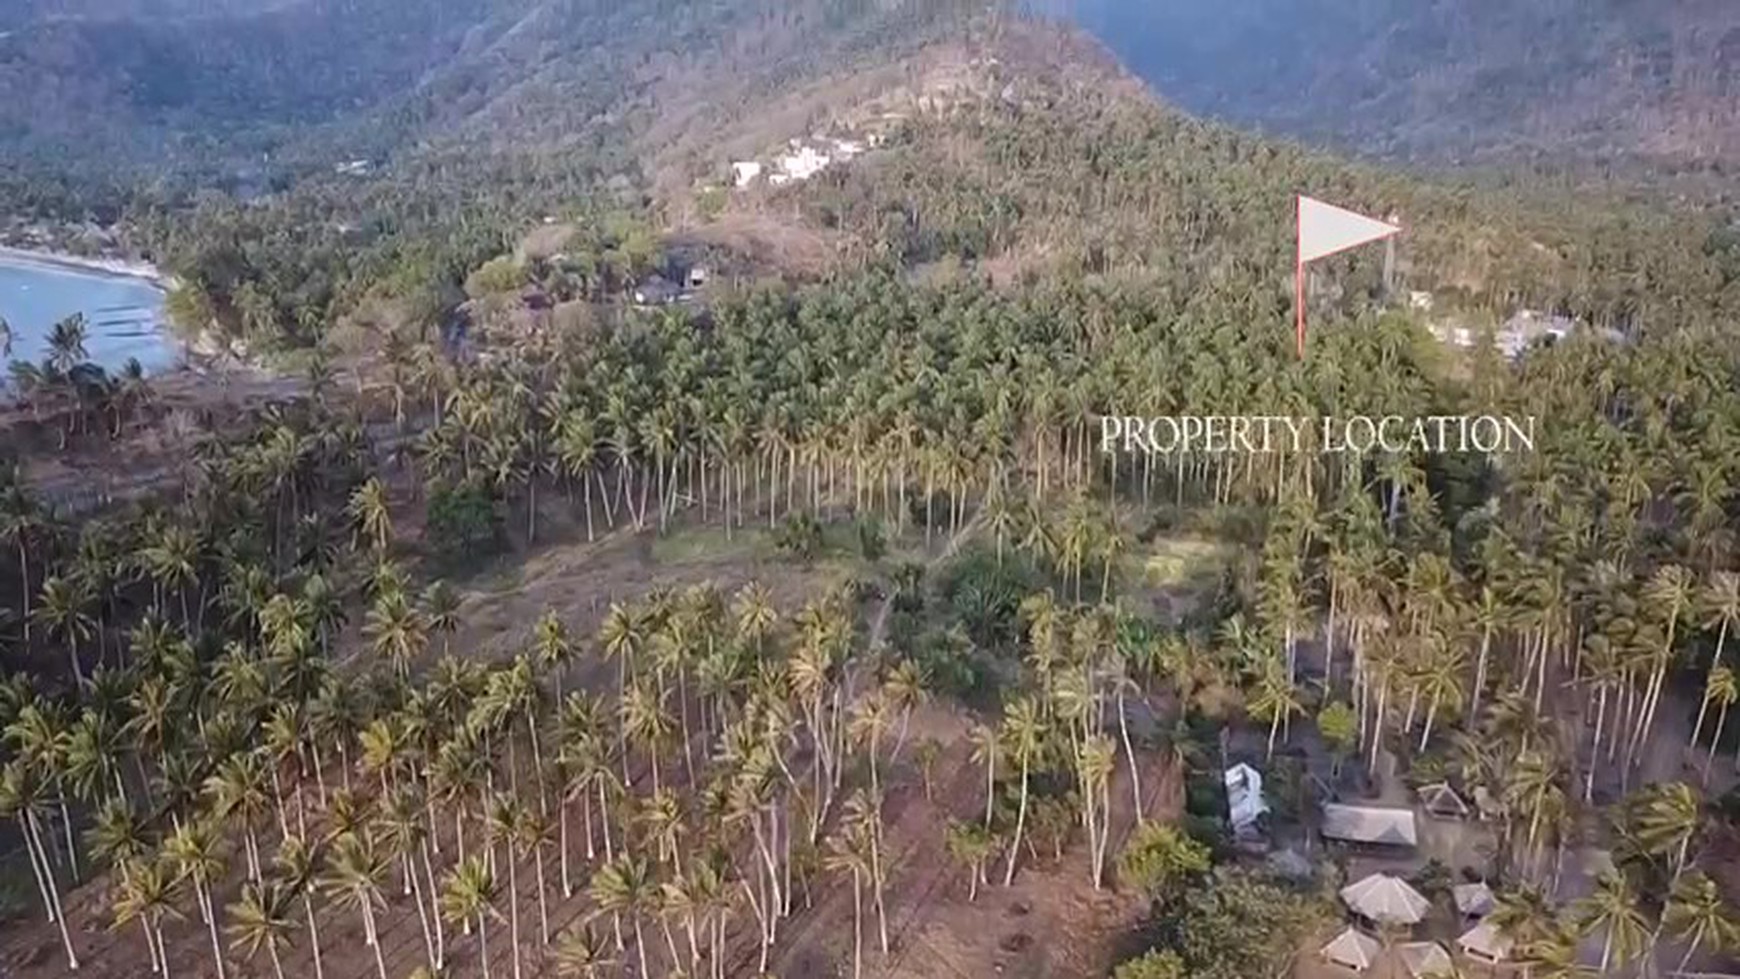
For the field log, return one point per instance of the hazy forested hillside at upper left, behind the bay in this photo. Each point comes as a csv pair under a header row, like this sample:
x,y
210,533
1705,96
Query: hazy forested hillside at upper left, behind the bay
x,y
255,97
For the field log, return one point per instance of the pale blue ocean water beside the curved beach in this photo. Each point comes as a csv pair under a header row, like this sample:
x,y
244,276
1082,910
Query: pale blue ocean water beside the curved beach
x,y
123,314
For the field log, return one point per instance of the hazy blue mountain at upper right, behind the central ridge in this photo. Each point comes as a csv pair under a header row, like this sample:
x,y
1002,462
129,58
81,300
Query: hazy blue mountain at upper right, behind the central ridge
x,y
1449,79
